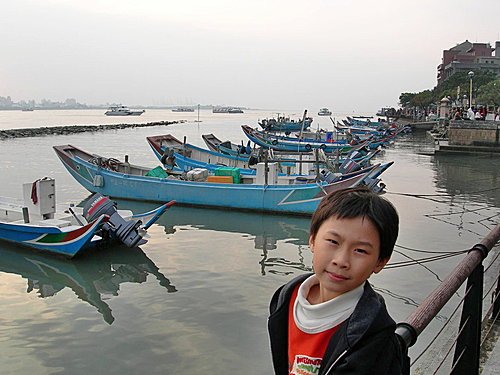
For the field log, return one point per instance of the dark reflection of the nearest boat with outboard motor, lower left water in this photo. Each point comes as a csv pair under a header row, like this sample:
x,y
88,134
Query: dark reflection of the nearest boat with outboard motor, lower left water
x,y
92,278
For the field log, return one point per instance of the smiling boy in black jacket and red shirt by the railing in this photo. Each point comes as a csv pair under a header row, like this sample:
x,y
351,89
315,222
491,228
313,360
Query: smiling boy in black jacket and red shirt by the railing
x,y
332,321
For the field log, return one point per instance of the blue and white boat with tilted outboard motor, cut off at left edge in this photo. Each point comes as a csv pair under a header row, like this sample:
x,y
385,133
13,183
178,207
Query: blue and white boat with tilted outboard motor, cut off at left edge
x,y
33,222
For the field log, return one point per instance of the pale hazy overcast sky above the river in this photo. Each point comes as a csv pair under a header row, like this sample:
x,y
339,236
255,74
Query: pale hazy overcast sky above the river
x,y
347,55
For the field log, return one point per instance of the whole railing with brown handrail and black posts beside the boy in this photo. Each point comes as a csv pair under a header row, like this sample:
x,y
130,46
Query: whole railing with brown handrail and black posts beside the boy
x,y
466,356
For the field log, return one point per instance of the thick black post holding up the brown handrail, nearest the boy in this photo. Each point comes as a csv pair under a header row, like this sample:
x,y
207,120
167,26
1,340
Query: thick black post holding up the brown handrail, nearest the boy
x,y
466,357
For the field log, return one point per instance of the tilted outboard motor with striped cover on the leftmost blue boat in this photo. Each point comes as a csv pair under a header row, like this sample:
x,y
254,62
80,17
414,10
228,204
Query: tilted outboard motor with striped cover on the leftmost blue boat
x,y
126,231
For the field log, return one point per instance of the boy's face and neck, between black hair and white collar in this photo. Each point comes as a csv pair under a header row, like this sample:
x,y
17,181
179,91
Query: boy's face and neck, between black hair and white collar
x,y
345,254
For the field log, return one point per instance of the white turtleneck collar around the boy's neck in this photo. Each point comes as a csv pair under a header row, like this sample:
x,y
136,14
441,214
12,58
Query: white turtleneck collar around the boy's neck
x,y
323,316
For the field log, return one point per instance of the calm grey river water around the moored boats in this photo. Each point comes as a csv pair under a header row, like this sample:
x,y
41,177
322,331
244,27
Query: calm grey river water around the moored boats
x,y
194,299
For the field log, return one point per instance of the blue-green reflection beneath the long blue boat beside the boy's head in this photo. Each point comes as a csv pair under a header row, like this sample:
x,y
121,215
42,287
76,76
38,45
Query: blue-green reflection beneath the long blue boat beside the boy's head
x,y
266,230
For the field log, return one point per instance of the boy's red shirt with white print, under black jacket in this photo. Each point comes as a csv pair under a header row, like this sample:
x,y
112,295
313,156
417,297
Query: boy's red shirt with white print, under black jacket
x,y
305,350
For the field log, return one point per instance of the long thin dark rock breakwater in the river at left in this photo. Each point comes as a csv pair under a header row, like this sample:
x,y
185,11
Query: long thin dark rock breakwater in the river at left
x,y
73,129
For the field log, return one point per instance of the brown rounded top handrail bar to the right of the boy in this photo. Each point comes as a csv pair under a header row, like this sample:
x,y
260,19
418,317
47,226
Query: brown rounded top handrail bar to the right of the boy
x,y
409,329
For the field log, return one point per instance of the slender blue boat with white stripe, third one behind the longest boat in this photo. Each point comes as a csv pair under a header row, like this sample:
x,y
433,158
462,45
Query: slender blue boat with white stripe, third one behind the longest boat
x,y
289,144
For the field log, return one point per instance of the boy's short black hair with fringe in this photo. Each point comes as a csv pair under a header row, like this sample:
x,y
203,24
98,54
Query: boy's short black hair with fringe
x,y
360,202
